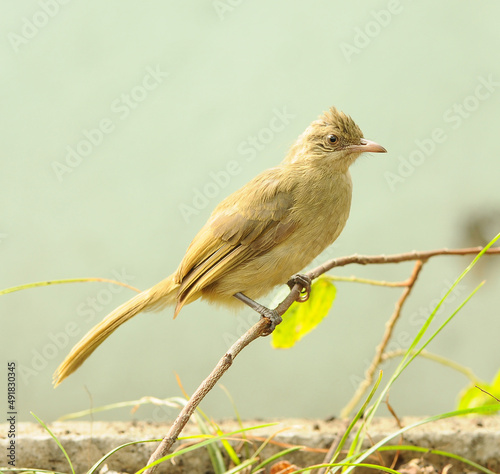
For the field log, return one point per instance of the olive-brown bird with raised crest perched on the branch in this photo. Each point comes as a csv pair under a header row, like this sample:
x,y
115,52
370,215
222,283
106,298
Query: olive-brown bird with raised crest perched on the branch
x,y
258,237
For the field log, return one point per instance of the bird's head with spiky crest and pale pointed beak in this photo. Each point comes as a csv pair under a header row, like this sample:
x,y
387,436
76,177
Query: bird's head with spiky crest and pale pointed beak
x,y
334,137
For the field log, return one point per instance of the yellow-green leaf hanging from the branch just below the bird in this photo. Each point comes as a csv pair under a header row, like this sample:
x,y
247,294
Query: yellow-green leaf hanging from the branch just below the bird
x,y
301,318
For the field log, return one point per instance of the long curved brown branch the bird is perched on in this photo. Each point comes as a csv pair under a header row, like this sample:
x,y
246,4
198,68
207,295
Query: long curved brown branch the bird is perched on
x,y
263,325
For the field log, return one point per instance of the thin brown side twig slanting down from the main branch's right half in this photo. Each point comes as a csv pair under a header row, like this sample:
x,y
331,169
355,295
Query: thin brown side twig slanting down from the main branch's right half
x,y
389,327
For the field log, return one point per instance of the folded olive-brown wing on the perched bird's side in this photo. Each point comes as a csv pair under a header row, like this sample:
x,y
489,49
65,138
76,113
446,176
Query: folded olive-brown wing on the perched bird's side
x,y
248,223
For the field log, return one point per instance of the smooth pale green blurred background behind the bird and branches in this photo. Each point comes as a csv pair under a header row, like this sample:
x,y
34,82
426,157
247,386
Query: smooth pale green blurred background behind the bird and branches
x,y
125,123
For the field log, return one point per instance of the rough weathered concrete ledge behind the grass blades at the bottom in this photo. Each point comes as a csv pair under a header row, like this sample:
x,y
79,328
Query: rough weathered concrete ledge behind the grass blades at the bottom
x,y
475,438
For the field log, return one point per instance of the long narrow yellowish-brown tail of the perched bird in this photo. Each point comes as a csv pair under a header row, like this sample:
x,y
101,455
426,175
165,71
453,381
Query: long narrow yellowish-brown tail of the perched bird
x,y
160,295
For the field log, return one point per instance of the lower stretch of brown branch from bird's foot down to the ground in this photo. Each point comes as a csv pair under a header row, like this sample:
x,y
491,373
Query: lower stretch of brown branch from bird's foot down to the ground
x,y
164,447
